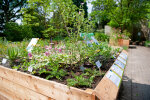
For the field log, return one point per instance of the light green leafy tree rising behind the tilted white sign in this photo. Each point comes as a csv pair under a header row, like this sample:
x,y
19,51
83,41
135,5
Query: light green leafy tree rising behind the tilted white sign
x,y
33,17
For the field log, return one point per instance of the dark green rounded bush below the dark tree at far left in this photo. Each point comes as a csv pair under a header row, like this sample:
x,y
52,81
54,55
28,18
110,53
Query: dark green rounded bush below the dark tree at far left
x,y
15,32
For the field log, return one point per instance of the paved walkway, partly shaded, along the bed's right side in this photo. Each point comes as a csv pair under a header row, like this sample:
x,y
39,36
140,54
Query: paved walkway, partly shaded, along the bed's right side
x,y
136,80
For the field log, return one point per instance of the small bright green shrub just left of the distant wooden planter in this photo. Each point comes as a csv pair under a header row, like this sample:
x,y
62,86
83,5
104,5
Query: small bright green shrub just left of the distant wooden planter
x,y
101,37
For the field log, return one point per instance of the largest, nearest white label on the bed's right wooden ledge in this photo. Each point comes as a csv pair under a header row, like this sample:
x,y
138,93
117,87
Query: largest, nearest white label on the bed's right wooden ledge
x,y
113,77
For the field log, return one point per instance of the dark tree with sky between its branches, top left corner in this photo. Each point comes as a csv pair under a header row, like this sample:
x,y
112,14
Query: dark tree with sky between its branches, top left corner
x,y
9,11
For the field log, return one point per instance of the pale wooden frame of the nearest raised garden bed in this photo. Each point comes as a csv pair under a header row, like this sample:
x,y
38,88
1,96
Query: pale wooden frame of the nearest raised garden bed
x,y
18,85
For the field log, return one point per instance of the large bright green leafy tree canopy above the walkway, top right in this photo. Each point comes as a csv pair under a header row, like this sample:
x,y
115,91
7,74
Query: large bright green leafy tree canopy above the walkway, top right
x,y
122,14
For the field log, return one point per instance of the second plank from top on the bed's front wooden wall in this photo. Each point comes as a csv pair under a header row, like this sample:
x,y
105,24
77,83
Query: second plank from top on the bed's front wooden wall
x,y
19,91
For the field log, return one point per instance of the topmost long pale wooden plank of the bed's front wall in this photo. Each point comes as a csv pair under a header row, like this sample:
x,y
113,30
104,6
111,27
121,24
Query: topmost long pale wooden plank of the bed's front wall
x,y
45,87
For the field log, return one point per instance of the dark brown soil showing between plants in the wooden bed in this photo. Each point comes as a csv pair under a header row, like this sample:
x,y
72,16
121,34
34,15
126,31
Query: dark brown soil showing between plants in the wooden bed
x,y
105,67
